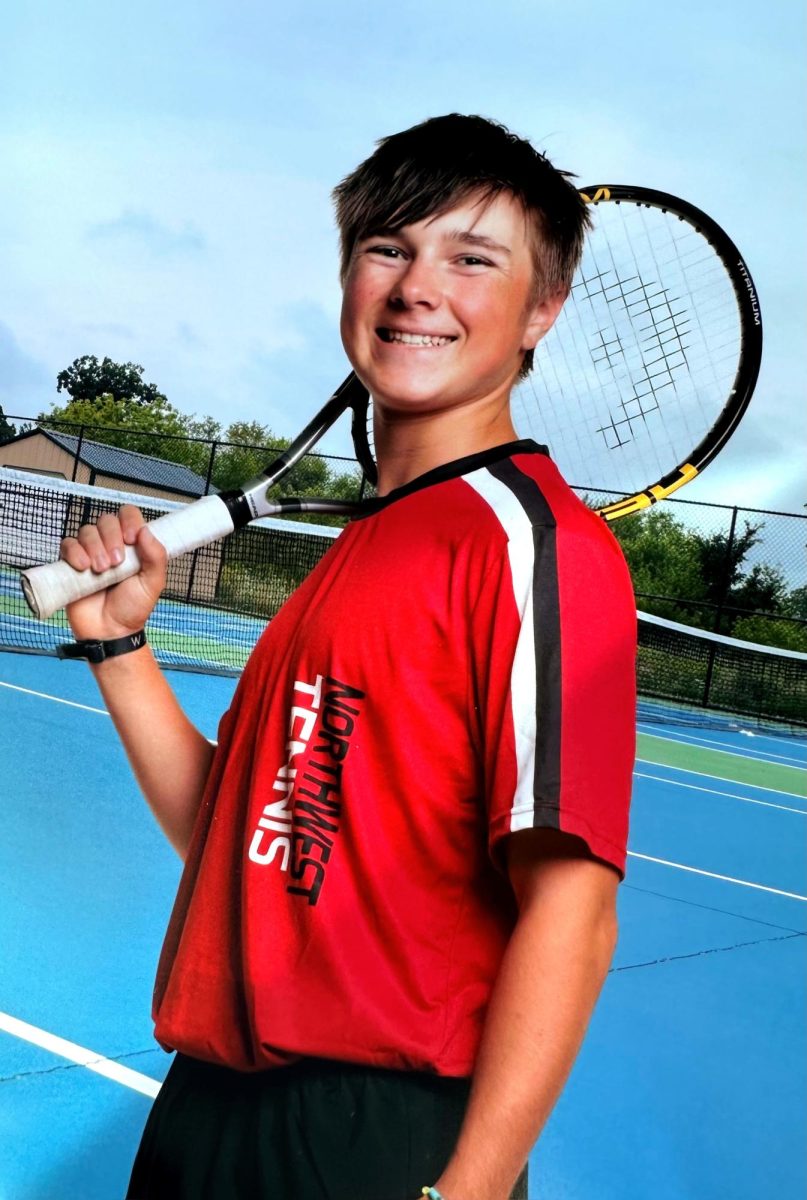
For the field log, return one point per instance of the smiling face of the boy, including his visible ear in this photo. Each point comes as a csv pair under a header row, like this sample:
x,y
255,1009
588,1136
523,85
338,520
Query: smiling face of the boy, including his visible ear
x,y
439,314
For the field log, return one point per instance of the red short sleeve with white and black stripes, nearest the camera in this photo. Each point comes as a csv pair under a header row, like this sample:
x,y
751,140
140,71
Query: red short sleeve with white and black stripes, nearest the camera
x,y
554,681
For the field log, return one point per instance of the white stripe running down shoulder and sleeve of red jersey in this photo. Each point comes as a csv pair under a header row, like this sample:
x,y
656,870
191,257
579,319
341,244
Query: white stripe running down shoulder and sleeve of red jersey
x,y
522,555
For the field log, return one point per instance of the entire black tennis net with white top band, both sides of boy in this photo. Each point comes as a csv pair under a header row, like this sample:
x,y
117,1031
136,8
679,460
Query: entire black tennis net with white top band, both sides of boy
x,y
219,599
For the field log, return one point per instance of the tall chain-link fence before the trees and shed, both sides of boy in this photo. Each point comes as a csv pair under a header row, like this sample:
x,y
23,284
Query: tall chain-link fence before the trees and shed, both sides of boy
x,y
721,568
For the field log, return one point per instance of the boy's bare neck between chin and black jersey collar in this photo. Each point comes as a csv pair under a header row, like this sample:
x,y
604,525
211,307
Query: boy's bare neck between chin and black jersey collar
x,y
408,446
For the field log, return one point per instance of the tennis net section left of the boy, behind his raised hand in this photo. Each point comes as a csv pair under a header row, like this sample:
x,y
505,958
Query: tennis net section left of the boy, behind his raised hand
x,y
217,601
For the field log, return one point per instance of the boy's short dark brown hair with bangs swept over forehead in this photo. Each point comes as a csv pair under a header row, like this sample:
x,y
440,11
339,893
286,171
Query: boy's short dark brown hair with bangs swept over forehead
x,y
433,167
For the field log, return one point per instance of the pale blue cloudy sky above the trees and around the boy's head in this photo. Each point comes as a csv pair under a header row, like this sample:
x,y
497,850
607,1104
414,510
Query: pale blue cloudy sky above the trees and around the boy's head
x,y
169,170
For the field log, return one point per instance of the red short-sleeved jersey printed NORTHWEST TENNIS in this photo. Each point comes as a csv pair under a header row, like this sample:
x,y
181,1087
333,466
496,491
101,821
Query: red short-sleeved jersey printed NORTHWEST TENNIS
x,y
458,668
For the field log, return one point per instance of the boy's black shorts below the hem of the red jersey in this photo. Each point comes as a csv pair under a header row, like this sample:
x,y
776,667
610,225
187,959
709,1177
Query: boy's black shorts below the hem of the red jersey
x,y
316,1131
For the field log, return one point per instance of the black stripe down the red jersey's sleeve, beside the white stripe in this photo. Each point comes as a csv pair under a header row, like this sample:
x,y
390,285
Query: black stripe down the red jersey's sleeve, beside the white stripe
x,y
547,632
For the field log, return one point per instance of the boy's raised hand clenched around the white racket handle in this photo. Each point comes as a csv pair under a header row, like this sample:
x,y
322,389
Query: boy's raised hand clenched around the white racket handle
x,y
125,608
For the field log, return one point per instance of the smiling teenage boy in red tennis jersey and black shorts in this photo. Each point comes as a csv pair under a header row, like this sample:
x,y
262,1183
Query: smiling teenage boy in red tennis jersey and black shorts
x,y
402,861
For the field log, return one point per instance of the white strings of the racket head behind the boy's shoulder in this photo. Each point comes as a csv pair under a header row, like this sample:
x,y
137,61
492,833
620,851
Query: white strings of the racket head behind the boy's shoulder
x,y
643,357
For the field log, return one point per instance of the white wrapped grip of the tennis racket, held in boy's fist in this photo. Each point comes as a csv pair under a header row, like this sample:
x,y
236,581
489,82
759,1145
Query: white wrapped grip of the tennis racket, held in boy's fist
x,y
51,587
